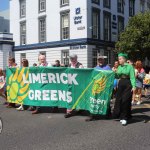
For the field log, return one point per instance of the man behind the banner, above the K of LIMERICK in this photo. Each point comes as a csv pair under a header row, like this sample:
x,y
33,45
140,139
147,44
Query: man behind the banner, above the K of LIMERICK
x,y
74,64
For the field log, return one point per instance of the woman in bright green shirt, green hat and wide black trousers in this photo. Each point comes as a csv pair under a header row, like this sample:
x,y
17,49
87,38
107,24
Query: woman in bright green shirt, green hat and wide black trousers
x,y
126,87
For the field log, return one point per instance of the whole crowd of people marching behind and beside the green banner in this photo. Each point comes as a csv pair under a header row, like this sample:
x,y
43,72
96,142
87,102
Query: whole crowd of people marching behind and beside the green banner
x,y
130,79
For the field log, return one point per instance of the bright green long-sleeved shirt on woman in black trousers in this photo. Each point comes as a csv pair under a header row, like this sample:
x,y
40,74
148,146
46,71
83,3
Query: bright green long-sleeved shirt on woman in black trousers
x,y
127,70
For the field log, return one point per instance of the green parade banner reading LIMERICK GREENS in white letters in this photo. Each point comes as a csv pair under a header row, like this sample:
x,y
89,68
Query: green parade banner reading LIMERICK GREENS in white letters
x,y
86,89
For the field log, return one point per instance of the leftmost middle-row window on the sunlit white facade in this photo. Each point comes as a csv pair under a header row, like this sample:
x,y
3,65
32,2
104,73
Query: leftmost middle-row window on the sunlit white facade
x,y
23,33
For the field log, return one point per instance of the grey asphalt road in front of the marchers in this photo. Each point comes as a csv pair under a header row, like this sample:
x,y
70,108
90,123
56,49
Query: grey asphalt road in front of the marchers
x,y
51,131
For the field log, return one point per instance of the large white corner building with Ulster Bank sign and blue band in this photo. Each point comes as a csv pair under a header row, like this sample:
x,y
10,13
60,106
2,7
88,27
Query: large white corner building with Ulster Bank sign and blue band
x,y
58,28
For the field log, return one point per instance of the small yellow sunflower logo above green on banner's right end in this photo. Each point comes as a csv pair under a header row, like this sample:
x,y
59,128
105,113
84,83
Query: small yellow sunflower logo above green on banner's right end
x,y
99,85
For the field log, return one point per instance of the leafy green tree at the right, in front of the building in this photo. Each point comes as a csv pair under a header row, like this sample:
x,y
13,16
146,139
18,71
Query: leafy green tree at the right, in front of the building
x,y
135,39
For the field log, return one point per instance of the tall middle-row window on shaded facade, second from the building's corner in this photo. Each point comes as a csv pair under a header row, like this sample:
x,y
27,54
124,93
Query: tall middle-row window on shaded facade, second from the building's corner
x,y
107,26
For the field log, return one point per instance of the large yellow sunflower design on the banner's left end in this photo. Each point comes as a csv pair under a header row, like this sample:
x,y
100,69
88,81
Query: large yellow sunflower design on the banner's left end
x,y
17,90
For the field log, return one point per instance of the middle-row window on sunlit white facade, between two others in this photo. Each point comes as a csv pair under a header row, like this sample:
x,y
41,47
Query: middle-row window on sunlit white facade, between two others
x,y
42,29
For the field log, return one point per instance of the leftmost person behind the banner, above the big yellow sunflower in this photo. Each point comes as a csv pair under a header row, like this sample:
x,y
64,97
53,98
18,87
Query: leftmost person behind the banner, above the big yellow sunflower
x,y
12,64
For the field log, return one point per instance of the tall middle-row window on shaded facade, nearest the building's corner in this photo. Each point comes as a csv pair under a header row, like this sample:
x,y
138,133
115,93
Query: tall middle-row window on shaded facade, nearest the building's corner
x,y
95,24
